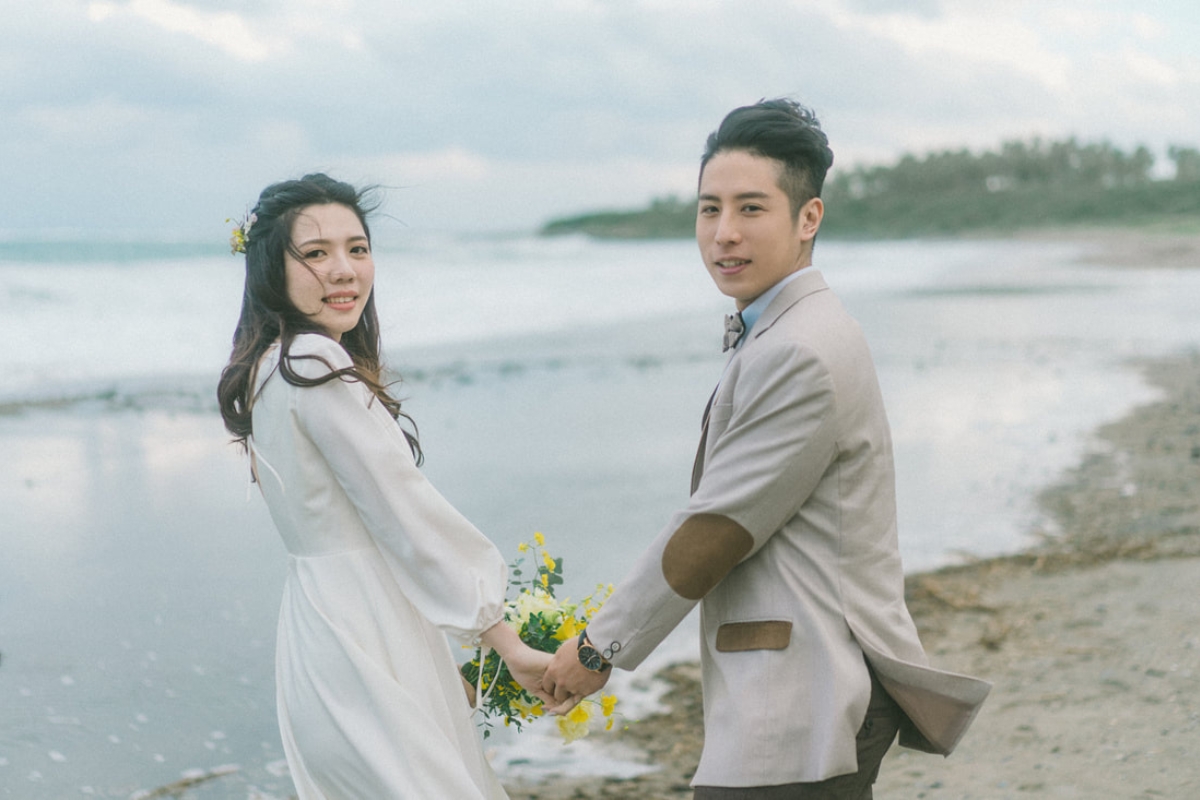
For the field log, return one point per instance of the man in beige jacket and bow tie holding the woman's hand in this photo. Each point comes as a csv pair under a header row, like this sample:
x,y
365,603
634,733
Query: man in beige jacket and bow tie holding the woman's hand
x,y
809,657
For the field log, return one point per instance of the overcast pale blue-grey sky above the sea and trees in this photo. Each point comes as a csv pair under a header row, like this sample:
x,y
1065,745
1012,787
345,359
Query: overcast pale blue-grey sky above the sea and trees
x,y
166,117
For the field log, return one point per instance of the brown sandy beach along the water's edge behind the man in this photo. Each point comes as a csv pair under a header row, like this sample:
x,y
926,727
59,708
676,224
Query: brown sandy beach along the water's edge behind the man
x,y
1091,639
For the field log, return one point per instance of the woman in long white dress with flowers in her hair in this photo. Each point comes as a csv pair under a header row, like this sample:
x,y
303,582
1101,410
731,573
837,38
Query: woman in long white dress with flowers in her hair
x,y
381,567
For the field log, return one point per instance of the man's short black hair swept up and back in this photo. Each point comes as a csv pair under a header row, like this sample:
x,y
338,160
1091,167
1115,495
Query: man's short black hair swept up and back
x,y
782,130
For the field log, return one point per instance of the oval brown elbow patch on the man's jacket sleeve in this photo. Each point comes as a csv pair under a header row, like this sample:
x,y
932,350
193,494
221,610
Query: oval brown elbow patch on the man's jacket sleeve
x,y
703,552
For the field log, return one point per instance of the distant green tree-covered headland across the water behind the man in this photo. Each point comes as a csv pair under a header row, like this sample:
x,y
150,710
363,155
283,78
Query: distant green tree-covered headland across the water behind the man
x,y
1022,185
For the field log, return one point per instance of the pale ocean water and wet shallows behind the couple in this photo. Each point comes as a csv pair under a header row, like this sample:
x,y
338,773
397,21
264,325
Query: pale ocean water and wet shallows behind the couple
x,y
559,387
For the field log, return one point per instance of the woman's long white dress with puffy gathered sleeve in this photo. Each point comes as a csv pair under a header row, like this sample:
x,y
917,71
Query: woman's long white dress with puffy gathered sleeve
x,y
381,567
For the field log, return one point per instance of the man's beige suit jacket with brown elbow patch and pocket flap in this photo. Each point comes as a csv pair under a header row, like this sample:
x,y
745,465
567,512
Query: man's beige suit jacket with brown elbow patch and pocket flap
x,y
789,544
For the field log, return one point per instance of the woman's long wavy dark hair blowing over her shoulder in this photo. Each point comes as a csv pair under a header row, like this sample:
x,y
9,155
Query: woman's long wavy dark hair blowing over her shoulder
x,y
269,315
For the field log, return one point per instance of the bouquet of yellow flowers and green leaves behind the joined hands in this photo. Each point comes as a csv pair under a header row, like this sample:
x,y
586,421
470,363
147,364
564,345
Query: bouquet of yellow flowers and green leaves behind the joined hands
x,y
544,623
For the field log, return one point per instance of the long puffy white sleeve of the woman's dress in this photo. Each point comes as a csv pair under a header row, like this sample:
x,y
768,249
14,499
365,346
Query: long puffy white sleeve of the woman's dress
x,y
446,567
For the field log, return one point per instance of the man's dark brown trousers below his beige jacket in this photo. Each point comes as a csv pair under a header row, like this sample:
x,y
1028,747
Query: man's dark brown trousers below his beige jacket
x,y
875,737
